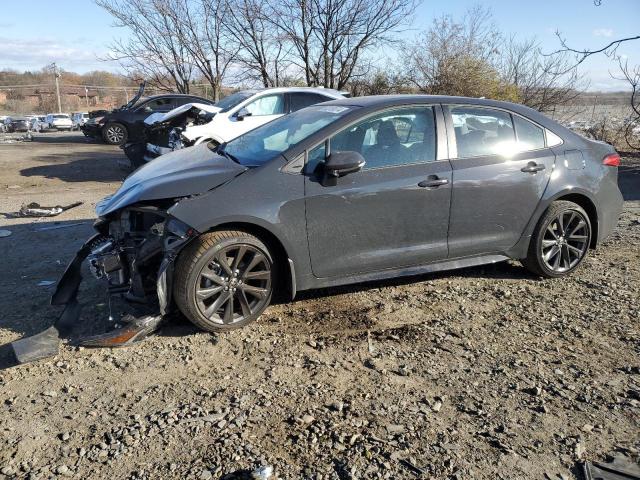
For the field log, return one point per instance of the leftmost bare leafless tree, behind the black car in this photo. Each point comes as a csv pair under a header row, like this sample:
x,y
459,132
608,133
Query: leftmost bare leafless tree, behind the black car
x,y
154,49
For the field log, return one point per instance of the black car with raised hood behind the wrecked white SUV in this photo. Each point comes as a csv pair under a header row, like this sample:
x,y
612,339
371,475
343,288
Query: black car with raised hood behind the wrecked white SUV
x,y
118,125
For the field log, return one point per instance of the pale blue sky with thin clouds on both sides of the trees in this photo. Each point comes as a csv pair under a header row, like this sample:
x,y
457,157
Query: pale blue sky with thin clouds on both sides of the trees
x,y
75,33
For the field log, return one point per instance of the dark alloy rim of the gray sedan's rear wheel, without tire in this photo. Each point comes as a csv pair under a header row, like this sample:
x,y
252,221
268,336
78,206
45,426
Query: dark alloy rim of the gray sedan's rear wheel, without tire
x,y
565,241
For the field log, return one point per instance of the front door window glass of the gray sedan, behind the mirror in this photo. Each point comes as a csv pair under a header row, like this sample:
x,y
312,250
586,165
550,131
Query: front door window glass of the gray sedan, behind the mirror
x,y
398,137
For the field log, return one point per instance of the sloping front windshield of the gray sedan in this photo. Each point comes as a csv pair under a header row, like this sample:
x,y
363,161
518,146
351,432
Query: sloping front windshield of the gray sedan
x,y
268,141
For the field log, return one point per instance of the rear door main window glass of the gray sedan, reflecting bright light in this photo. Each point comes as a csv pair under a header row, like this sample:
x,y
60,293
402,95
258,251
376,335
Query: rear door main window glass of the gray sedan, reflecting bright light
x,y
482,131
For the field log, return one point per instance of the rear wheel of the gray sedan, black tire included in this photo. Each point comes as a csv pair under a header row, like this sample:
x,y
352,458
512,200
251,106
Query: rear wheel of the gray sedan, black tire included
x,y
570,242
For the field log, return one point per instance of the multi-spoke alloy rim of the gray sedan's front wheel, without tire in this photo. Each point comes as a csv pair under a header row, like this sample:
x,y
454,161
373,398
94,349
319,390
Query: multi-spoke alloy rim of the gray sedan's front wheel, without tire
x,y
234,284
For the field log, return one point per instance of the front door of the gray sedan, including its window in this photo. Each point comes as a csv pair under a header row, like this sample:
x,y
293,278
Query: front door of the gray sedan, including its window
x,y
394,212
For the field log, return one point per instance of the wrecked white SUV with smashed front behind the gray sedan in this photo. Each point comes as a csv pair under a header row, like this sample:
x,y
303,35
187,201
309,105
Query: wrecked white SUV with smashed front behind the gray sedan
x,y
234,115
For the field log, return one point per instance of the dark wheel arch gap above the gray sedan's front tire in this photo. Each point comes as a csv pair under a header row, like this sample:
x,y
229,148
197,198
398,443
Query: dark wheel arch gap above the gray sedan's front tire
x,y
283,262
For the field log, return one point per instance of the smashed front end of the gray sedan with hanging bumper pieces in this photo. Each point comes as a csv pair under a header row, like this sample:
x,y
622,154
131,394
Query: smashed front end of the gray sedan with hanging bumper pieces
x,y
133,252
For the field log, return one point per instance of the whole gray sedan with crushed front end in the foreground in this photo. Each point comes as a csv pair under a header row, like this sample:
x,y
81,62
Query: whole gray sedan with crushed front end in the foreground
x,y
350,191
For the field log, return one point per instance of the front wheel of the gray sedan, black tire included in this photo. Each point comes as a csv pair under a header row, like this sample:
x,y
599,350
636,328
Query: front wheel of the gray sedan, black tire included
x,y
204,257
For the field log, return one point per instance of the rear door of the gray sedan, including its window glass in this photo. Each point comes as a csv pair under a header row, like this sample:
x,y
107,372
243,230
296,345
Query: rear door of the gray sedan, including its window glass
x,y
501,167
